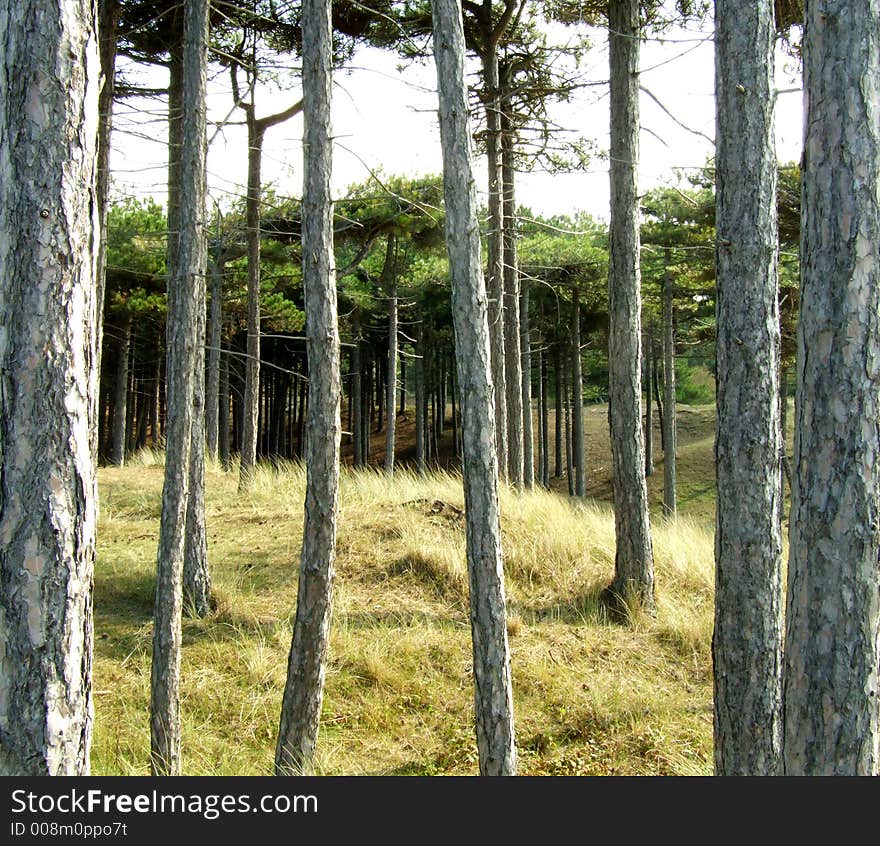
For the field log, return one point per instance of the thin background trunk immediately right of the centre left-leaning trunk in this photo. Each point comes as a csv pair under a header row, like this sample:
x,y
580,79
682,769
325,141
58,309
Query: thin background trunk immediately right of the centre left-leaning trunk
x,y
494,241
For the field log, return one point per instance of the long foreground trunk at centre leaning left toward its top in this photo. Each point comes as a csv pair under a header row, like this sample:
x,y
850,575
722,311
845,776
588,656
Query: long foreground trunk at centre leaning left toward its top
x,y
493,692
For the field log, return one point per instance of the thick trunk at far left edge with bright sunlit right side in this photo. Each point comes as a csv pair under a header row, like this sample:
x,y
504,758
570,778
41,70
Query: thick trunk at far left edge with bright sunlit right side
x,y
49,75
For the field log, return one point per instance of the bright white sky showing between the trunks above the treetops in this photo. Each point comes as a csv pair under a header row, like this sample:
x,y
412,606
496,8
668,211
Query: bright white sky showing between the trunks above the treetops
x,y
384,120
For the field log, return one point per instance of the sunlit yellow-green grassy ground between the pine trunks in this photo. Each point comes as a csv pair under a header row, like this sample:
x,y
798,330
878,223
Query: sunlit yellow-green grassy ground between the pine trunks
x,y
592,697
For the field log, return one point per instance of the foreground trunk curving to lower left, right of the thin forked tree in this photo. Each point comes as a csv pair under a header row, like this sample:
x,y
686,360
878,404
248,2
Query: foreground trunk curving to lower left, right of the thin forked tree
x,y
304,689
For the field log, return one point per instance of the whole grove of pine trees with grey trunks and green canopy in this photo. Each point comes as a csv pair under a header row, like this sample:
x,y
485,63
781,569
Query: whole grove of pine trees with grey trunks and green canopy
x,y
404,324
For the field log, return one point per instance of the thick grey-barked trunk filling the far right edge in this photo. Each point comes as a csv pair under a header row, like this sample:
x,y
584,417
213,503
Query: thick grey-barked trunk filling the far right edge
x,y
832,719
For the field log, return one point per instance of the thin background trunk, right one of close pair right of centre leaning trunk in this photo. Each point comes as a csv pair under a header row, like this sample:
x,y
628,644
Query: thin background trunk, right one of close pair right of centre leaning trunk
x,y
512,346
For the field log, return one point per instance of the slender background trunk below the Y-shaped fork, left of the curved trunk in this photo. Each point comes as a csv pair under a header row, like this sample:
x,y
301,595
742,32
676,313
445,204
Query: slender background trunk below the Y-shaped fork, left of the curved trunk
x,y
251,420
